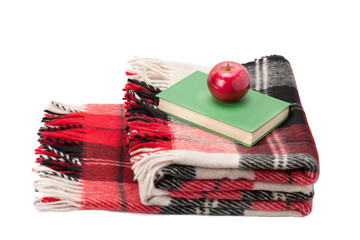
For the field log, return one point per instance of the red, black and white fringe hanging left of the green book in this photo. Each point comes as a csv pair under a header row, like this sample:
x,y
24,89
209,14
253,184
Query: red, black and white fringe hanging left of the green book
x,y
147,131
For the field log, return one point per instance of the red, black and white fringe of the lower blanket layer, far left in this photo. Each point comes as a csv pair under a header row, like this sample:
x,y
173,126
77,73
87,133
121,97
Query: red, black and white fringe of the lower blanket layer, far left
x,y
59,158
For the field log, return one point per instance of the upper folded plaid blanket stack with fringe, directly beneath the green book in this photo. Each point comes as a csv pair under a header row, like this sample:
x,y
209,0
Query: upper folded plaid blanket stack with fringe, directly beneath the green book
x,y
189,170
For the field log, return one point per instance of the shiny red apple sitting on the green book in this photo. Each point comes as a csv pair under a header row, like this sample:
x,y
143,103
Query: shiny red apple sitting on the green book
x,y
228,81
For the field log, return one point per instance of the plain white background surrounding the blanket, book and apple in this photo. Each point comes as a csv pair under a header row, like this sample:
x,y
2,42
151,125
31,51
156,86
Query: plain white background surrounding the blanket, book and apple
x,y
76,52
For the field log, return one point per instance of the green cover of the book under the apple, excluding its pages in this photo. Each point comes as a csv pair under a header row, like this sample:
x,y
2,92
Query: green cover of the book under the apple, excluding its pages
x,y
249,113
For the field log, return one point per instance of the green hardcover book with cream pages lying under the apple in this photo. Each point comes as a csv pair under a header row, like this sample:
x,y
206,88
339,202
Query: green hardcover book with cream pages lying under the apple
x,y
245,121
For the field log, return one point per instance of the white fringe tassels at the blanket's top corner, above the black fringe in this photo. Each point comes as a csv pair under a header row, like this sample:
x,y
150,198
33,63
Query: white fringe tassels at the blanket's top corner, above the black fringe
x,y
151,70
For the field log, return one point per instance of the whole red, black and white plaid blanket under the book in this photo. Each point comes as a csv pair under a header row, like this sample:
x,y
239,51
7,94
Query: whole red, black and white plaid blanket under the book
x,y
133,157
